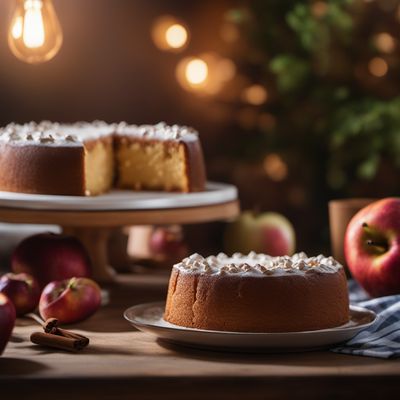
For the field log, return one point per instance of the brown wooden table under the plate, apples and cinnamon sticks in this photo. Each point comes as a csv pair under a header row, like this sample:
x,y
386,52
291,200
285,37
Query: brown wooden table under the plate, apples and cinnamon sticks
x,y
122,362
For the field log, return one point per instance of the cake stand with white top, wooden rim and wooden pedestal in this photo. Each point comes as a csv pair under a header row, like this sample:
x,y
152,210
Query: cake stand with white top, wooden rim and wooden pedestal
x,y
91,219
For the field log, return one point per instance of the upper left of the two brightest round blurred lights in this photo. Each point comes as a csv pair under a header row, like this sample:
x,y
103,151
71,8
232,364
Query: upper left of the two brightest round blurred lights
x,y
169,34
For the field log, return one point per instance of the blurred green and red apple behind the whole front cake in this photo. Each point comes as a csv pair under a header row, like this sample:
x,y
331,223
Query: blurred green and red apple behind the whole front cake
x,y
269,233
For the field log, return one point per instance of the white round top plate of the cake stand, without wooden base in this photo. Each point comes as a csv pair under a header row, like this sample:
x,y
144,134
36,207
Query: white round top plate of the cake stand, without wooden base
x,y
215,193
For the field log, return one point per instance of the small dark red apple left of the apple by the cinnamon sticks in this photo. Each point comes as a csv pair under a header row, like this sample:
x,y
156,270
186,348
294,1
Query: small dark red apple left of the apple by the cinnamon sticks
x,y
22,289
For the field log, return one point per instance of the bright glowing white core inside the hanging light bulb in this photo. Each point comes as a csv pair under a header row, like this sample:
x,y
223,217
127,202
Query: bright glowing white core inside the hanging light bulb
x,y
33,31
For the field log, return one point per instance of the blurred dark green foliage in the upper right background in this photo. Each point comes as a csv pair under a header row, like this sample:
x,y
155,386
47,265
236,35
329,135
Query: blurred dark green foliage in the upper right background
x,y
313,51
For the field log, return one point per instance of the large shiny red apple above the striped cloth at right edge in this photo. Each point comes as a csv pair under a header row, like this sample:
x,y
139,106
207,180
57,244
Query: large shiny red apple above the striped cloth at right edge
x,y
372,247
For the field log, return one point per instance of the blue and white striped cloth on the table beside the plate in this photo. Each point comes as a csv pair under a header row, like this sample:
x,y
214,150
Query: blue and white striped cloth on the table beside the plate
x,y
382,339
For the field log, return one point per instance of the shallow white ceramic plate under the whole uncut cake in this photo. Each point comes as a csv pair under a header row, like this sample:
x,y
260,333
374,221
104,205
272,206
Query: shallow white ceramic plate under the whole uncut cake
x,y
149,318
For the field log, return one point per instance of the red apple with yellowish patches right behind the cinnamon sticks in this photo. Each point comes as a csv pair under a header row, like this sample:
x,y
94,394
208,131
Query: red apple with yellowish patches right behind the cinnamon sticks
x,y
70,300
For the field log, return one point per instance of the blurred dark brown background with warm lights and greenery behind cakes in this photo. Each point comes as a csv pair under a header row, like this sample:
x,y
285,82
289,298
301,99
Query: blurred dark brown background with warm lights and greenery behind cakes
x,y
296,102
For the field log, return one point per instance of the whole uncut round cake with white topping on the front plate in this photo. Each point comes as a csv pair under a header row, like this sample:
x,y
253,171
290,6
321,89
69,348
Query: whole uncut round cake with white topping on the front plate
x,y
257,293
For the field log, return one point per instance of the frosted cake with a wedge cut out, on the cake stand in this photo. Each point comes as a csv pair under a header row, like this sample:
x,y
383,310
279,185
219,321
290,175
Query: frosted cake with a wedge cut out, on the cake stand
x,y
91,158
